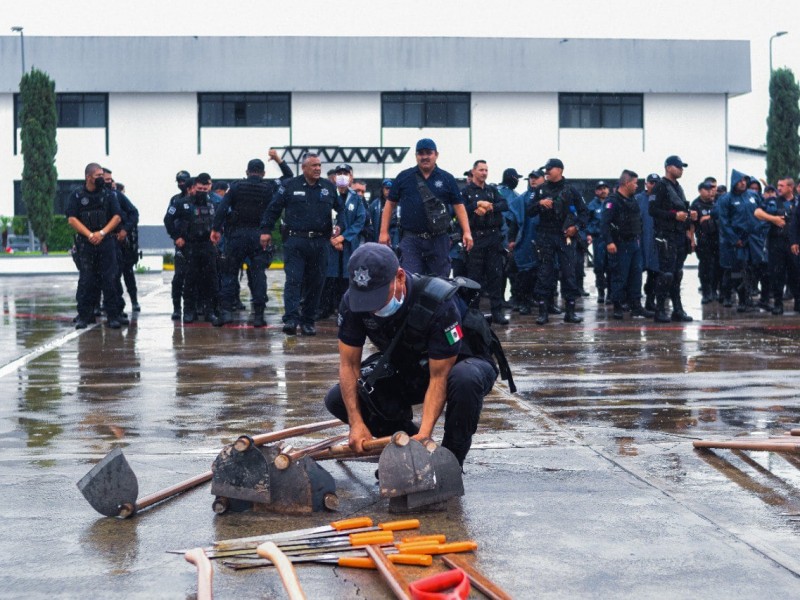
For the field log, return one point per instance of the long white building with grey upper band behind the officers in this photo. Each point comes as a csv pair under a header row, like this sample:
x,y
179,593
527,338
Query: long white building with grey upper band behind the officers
x,y
149,106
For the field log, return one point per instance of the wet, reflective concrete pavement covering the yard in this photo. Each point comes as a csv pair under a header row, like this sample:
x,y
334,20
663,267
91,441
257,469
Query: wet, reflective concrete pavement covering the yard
x,y
583,484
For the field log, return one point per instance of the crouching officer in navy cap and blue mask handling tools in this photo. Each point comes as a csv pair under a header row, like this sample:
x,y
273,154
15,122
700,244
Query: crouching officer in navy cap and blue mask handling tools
x,y
431,365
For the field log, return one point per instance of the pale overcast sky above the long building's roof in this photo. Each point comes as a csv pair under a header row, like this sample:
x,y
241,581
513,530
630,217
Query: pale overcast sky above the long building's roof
x,y
753,20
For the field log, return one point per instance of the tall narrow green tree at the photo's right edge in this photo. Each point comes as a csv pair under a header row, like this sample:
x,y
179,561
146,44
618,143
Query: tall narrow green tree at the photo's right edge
x,y
783,142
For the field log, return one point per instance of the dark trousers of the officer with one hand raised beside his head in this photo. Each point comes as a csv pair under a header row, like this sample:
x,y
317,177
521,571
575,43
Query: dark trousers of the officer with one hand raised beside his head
x,y
244,244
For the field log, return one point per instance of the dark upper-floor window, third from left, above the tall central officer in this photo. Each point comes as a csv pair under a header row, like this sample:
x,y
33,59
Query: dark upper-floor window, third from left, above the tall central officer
x,y
404,109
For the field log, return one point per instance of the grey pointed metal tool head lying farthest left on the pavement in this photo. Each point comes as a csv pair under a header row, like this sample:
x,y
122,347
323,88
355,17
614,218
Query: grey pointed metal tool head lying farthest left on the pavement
x,y
111,486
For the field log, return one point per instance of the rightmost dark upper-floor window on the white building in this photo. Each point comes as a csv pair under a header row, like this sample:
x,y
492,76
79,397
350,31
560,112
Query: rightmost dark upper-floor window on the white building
x,y
609,111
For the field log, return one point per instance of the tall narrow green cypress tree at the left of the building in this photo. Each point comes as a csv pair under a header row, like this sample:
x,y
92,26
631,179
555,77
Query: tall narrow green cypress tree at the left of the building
x,y
38,121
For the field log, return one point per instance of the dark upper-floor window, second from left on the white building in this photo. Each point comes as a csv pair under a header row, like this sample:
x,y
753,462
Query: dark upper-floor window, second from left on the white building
x,y
245,110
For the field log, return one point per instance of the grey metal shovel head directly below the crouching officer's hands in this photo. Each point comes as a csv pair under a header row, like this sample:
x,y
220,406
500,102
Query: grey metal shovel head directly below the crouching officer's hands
x,y
405,469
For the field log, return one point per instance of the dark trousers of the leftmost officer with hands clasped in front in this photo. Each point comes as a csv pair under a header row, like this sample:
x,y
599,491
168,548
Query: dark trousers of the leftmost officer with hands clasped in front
x,y
98,272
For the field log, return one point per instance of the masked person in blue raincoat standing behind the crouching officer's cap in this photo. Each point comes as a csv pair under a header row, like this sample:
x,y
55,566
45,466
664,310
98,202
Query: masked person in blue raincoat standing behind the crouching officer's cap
x,y
346,238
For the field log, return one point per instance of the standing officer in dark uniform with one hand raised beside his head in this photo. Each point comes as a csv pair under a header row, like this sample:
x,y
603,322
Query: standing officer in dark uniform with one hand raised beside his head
x,y
239,216
